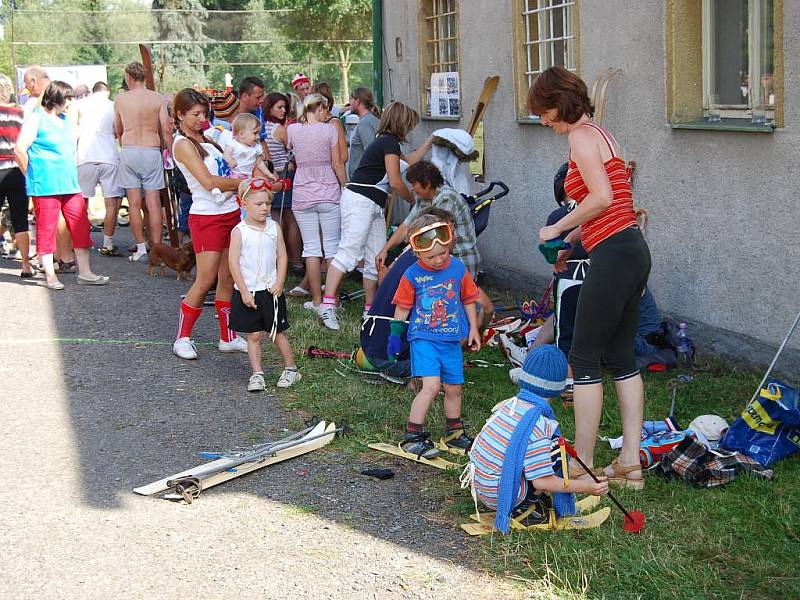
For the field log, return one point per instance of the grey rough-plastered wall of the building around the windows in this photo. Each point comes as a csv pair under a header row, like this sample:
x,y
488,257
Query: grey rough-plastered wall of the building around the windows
x,y
724,206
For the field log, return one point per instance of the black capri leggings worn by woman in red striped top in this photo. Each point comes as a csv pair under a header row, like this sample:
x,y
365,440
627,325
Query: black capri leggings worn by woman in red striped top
x,y
608,308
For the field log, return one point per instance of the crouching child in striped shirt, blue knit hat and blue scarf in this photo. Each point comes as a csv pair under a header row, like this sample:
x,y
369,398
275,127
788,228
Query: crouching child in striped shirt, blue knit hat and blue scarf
x,y
513,455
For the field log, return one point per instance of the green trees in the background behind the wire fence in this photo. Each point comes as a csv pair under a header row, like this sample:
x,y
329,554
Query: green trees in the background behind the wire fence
x,y
107,31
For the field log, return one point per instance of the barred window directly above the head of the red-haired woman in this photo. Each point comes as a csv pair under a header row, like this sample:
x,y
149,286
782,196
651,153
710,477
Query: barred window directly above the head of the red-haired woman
x,y
537,15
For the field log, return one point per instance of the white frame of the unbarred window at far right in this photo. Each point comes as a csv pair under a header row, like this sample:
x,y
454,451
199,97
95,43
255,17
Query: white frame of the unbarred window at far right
x,y
754,14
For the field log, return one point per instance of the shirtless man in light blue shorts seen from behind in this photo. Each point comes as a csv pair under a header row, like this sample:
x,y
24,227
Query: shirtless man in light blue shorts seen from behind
x,y
141,123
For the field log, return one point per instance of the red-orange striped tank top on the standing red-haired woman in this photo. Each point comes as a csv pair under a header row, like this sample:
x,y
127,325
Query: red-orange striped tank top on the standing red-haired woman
x,y
617,217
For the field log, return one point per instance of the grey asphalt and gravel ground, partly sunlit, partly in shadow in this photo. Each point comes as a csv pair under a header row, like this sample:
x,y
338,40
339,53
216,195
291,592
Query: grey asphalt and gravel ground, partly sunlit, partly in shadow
x,y
95,404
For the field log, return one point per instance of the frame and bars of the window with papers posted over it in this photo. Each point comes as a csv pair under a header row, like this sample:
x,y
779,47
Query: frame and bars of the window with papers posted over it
x,y
431,37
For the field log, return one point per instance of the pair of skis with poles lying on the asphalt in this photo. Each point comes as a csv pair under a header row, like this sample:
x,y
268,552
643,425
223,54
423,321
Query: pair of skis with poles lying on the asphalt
x,y
187,485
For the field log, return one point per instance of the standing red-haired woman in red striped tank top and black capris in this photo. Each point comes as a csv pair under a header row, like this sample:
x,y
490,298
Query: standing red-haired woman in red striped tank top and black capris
x,y
608,305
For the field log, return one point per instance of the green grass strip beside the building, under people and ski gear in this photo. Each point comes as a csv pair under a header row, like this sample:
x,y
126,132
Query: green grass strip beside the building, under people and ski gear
x,y
738,541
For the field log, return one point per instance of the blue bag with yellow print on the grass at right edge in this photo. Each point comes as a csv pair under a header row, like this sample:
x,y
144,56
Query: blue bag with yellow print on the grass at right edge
x,y
769,428
